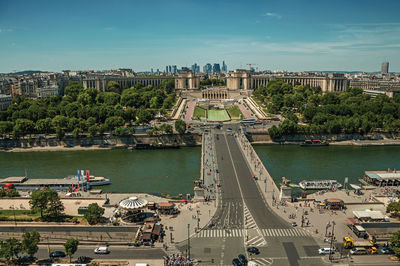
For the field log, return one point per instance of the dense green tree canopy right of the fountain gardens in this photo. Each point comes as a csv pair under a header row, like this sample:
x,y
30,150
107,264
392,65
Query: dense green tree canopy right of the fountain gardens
x,y
329,113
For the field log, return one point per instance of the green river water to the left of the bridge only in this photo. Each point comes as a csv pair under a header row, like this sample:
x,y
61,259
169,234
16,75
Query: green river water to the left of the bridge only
x,y
170,171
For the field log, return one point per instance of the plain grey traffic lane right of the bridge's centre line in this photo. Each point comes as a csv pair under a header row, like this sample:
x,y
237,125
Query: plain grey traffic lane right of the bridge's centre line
x,y
263,215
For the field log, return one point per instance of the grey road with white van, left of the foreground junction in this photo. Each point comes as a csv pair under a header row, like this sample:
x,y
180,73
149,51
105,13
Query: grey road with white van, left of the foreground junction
x,y
115,252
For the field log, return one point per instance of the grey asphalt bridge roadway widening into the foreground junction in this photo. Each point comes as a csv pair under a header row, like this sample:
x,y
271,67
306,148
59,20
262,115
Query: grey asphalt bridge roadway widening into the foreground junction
x,y
244,219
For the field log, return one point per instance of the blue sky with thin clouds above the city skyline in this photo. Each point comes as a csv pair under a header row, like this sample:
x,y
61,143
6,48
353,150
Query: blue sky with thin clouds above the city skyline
x,y
285,35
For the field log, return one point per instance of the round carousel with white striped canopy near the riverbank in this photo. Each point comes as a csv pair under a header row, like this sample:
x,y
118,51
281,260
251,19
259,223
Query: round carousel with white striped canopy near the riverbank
x,y
132,209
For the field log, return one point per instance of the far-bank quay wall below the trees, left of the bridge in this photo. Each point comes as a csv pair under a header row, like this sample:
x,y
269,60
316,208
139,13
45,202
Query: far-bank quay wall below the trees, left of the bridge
x,y
106,141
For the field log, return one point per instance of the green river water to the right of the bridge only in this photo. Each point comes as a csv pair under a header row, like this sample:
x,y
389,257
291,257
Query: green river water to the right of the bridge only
x,y
326,162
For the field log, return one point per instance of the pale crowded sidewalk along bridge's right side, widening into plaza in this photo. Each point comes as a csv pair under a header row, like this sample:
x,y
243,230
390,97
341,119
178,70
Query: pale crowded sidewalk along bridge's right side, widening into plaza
x,y
319,222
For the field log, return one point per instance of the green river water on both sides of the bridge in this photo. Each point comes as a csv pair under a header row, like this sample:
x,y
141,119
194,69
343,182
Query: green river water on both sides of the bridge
x,y
173,171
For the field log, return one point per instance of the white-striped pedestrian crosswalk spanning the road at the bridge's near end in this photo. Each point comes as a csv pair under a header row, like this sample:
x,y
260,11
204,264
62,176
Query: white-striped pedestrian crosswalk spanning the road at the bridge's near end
x,y
292,232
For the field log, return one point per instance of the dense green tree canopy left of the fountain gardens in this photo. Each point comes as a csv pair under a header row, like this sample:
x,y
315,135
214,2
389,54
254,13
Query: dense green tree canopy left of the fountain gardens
x,y
86,110
